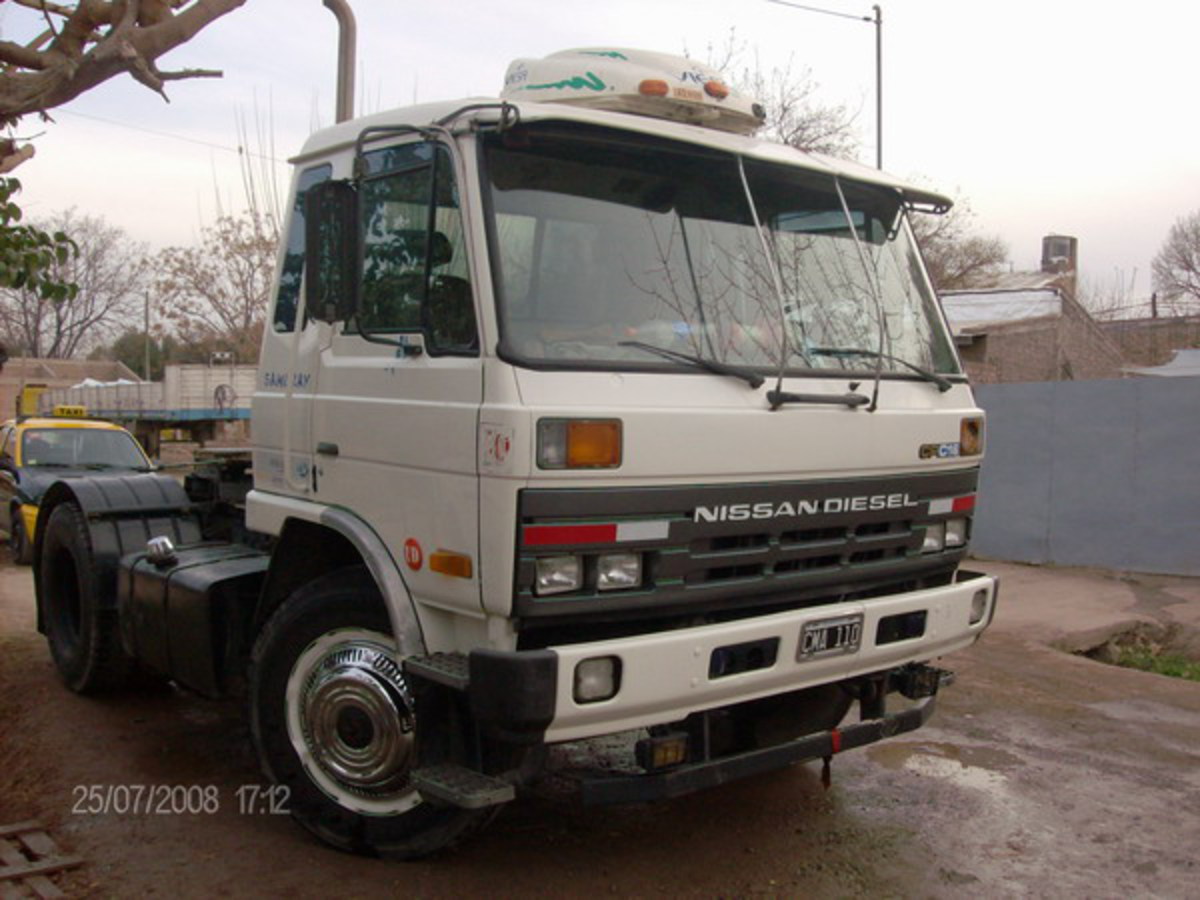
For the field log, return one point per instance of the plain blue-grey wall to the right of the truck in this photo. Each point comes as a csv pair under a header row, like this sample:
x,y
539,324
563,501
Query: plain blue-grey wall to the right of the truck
x,y
1093,473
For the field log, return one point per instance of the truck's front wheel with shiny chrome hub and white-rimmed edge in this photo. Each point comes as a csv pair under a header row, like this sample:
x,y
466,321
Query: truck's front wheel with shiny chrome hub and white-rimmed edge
x,y
333,723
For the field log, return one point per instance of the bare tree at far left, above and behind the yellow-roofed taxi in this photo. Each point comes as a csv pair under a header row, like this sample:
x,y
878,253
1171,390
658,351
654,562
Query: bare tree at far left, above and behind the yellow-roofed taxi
x,y
110,273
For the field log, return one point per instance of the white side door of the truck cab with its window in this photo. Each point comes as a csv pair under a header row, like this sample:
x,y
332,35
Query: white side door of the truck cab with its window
x,y
397,397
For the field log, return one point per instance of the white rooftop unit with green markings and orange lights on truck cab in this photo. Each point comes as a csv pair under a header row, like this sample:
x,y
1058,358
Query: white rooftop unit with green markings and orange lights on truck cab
x,y
640,82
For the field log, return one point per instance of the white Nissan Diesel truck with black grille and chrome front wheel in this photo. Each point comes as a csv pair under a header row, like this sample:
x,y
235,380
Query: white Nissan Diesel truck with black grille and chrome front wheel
x,y
581,412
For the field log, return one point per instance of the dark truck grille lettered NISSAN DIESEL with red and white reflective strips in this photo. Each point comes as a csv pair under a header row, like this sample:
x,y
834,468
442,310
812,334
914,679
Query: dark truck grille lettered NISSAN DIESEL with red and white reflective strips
x,y
730,551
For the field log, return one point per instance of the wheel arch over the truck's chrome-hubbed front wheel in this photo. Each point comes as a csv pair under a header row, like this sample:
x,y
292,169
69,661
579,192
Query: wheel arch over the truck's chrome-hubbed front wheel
x,y
311,548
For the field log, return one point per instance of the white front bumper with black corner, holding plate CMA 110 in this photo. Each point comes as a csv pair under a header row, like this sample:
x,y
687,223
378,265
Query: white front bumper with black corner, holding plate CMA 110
x,y
529,697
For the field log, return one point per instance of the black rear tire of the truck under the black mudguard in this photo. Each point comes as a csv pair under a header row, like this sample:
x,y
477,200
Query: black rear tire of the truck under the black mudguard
x,y
81,626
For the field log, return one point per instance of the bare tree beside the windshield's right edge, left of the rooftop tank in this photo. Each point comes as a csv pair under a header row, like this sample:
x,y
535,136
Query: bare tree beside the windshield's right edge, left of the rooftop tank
x,y
955,256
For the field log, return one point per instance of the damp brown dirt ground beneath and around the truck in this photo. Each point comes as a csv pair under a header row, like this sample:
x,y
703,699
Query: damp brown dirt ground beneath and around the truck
x,y
1042,775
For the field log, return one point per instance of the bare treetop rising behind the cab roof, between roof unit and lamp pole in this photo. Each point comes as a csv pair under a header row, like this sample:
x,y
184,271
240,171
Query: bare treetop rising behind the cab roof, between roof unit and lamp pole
x,y
795,113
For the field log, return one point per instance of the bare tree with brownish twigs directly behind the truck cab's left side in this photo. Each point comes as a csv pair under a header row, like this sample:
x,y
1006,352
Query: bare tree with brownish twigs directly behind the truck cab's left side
x,y
218,292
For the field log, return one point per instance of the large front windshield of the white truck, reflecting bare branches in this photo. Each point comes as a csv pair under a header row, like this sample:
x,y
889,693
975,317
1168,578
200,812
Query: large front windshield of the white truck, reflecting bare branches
x,y
605,241
